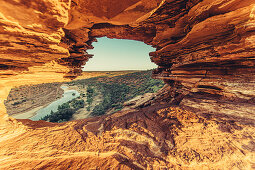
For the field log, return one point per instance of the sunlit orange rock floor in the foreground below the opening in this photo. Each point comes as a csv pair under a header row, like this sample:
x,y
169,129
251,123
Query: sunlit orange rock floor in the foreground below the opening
x,y
152,138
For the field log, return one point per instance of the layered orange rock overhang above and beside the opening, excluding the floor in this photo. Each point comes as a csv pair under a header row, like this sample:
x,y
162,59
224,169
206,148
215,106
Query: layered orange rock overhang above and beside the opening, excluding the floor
x,y
198,43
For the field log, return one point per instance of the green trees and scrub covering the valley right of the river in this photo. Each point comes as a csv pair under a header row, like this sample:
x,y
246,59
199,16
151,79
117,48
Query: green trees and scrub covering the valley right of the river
x,y
114,91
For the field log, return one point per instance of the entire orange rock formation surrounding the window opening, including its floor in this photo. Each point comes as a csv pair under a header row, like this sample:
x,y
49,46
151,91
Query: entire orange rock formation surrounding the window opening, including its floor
x,y
205,52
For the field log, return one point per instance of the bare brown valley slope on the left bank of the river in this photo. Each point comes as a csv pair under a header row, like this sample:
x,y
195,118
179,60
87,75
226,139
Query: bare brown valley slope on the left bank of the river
x,y
26,100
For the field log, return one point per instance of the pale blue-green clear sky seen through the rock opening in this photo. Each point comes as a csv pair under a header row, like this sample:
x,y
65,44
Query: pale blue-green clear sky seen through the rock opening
x,y
114,55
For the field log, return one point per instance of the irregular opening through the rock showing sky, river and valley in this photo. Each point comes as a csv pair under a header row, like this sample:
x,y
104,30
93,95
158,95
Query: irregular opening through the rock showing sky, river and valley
x,y
121,70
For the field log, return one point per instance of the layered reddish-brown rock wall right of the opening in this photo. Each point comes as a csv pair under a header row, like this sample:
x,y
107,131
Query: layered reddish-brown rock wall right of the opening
x,y
214,59
